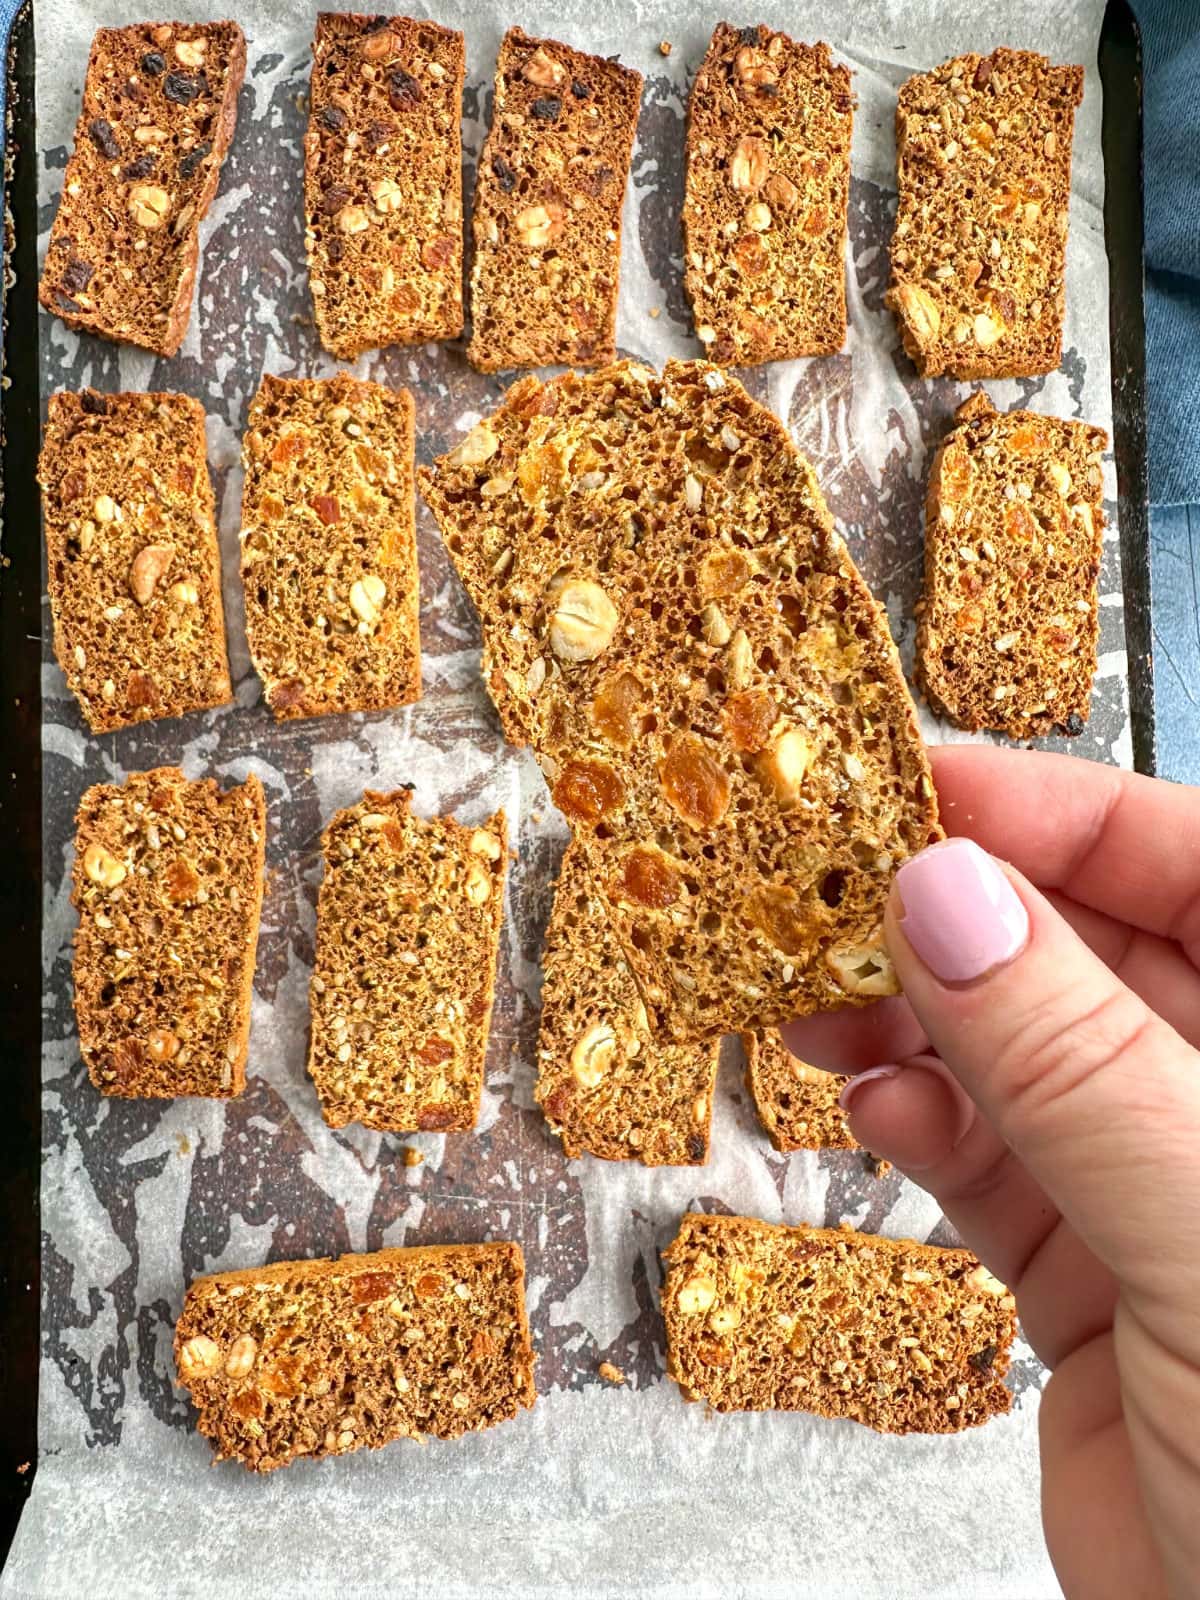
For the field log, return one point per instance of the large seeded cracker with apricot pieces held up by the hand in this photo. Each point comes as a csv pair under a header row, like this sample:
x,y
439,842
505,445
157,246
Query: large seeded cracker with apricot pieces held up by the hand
x,y
673,623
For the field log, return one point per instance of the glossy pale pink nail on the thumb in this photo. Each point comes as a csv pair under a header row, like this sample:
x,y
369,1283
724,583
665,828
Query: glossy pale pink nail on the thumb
x,y
962,916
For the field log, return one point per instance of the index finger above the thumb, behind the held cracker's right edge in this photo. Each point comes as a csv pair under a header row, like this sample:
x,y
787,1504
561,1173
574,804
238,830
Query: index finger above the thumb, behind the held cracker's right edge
x,y
1114,841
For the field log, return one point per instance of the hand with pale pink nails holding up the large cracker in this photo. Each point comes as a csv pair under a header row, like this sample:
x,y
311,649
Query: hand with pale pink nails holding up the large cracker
x,y
1041,1078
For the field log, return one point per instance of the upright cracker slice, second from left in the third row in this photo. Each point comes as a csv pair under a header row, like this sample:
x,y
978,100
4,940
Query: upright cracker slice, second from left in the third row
x,y
409,927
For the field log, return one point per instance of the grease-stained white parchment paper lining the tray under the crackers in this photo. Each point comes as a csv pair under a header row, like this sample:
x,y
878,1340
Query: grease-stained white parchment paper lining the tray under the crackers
x,y
598,1490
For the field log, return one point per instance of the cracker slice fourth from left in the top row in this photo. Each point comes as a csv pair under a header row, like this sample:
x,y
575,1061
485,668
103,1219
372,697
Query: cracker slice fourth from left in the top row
x,y
767,198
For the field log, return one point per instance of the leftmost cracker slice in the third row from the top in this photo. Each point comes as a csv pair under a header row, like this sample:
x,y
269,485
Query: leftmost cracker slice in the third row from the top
x,y
169,887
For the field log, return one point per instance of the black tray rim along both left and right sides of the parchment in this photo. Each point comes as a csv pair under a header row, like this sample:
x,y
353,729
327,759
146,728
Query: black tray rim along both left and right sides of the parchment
x,y
1121,68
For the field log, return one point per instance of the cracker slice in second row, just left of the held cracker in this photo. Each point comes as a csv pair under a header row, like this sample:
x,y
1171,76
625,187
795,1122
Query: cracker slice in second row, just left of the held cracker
x,y
329,546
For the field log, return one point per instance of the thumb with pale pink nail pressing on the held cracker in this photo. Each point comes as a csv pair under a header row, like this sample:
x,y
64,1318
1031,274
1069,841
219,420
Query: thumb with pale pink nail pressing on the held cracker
x,y
1097,1095
